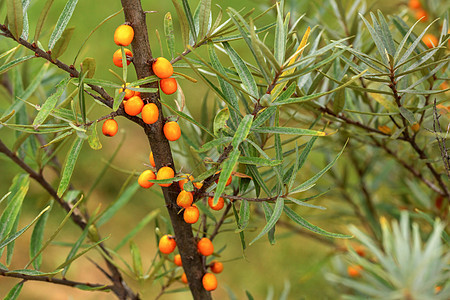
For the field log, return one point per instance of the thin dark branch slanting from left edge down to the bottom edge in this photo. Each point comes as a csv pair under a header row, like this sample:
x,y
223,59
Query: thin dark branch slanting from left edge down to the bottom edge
x,y
120,288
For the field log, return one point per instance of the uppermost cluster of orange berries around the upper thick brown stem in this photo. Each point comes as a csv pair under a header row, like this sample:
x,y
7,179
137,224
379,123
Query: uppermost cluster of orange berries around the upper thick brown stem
x,y
132,102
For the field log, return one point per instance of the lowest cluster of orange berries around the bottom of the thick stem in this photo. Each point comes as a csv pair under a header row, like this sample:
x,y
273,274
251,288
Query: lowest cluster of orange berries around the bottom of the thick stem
x,y
205,247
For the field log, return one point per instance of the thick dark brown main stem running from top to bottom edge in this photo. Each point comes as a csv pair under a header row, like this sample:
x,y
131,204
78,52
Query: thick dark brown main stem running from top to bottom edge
x,y
142,60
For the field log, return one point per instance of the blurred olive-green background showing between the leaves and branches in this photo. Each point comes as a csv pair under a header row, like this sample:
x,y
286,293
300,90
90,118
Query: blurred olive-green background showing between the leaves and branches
x,y
294,260
